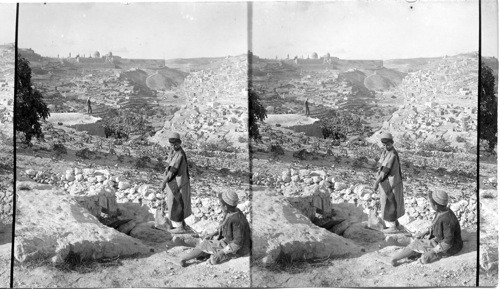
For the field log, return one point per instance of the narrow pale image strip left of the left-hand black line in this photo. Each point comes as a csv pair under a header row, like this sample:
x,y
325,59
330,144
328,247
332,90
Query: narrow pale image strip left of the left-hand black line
x,y
7,56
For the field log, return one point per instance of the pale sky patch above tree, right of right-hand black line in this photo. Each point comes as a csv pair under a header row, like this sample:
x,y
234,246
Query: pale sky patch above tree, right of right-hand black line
x,y
489,28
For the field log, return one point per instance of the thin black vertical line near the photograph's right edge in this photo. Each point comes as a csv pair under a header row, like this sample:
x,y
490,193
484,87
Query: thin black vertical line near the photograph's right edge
x,y
478,149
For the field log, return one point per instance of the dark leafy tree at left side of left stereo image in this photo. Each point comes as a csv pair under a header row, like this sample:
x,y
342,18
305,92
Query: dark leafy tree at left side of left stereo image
x,y
30,107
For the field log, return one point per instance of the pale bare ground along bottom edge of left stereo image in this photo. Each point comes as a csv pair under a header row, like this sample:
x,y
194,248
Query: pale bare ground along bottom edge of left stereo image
x,y
152,271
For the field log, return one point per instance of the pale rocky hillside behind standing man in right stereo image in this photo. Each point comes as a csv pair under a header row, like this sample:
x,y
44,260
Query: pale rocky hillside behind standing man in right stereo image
x,y
440,108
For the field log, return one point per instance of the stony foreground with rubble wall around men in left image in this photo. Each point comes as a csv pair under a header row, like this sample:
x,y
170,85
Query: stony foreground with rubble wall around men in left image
x,y
84,181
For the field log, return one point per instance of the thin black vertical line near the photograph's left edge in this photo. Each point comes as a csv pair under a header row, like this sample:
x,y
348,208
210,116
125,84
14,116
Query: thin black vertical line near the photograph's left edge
x,y
14,199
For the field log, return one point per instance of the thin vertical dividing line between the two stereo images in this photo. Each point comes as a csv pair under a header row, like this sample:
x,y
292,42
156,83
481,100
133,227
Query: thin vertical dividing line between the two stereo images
x,y
249,87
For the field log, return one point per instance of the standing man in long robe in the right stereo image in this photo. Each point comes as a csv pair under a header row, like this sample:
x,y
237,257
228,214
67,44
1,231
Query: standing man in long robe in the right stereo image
x,y
389,183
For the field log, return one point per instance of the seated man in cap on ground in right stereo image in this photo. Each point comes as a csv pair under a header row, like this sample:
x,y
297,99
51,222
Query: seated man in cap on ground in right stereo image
x,y
443,237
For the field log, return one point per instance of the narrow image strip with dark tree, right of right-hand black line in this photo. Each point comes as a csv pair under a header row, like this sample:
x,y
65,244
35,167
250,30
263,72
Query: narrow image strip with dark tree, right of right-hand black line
x,y
488,131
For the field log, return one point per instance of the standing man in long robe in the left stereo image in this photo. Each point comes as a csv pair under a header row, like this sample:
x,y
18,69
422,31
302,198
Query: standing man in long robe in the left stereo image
x,y
177,185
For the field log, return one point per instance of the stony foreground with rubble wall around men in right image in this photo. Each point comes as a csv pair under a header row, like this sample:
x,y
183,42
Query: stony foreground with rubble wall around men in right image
x,y
341,182
